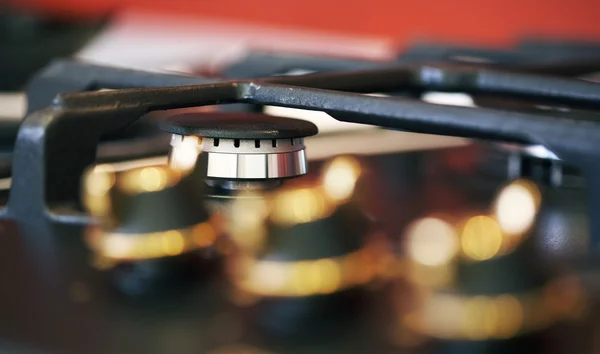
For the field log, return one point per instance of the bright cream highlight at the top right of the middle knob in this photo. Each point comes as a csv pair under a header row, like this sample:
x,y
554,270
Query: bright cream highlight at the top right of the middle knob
x,y
339,178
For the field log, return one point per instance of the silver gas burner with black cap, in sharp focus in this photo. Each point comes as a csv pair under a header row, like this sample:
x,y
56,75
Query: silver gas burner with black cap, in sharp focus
x,y
244,150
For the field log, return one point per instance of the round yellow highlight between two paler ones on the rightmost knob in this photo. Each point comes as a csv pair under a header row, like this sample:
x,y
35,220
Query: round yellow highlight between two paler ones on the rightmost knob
x,y
481,238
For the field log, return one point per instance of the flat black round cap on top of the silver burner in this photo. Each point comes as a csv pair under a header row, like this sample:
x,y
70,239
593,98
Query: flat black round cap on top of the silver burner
x,y
235,125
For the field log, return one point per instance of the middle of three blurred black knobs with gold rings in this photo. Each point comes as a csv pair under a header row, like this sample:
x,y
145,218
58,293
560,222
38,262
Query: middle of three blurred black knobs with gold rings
x,y
305,251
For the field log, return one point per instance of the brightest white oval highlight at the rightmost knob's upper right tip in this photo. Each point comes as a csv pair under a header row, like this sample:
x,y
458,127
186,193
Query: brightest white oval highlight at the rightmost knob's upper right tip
x,y
516,207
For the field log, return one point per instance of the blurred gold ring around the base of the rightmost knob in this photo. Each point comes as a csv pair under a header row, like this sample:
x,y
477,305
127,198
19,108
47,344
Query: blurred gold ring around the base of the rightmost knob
x,y
451,316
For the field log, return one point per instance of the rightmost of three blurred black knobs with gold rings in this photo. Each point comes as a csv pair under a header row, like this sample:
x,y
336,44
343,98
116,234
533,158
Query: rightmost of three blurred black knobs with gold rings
x,y
484,282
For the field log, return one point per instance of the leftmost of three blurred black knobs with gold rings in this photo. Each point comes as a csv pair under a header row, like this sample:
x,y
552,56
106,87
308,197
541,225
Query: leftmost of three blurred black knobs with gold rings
x,y
151,222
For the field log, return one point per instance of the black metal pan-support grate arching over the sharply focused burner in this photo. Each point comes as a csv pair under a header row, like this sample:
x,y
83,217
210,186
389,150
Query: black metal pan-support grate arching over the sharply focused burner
x,y
58,136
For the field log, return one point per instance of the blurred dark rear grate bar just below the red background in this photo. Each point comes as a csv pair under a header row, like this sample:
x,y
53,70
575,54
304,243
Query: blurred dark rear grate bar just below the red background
x,y
544,57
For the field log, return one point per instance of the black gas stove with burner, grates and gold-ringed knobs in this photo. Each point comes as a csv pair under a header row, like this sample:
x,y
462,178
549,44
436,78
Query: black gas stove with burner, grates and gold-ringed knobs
x,y
158,212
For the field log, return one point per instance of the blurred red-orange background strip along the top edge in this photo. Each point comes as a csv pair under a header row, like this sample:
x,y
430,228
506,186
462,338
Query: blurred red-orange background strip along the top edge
x,y
479,22
